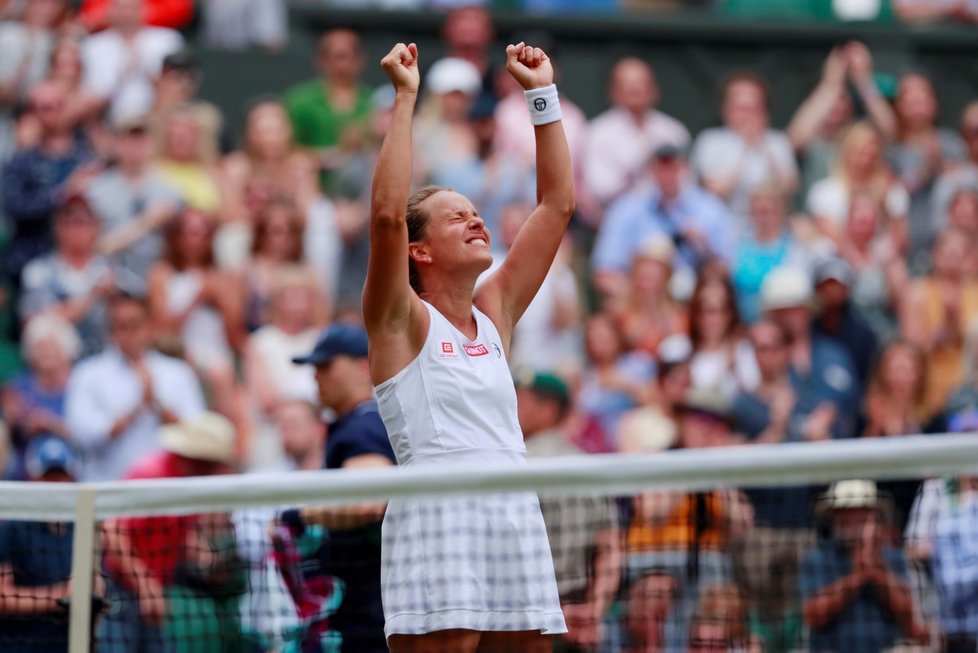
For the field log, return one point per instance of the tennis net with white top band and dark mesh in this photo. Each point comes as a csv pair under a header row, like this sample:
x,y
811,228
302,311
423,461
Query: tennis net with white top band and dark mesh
x,y
778,548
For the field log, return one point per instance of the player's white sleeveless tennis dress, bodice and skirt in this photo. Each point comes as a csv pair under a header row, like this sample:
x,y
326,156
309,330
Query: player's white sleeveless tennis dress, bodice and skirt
x,y
478,563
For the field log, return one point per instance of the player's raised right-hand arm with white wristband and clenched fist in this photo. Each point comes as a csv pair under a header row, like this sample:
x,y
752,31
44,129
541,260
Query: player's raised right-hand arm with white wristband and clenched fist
x,y
507,293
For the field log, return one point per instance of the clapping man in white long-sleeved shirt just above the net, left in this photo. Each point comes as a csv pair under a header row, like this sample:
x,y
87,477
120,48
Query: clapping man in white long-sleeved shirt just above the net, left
x,y
117,400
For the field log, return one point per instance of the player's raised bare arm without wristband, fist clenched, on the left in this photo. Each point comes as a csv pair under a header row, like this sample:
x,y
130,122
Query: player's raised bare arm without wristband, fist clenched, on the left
x,y
387,295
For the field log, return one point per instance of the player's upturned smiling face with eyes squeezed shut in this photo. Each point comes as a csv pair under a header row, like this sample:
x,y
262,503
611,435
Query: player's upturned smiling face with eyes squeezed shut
x,y
456,237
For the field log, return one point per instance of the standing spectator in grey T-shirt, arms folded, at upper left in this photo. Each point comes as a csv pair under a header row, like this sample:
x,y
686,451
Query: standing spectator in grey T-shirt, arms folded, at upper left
x,y
134,203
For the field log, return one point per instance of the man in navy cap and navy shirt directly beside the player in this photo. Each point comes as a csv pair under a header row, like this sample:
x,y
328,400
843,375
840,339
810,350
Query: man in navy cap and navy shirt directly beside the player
x,y
357,439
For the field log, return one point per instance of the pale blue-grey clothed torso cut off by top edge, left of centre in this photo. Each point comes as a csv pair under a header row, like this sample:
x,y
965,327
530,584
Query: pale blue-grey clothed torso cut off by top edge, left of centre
x,y
239,24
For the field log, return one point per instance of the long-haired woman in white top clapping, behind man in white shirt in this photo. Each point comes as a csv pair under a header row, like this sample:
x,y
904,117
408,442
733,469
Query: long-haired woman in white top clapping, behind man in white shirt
x,y
192,308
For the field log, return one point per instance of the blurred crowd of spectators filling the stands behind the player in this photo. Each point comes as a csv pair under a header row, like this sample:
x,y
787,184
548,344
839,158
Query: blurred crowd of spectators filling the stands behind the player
x,y
752,283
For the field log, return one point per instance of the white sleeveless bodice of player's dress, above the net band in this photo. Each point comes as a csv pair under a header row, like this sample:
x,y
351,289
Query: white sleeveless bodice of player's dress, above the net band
x,y
456,400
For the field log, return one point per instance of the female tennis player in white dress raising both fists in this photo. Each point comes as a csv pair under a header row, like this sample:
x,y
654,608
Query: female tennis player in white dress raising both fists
x,y
460,575
